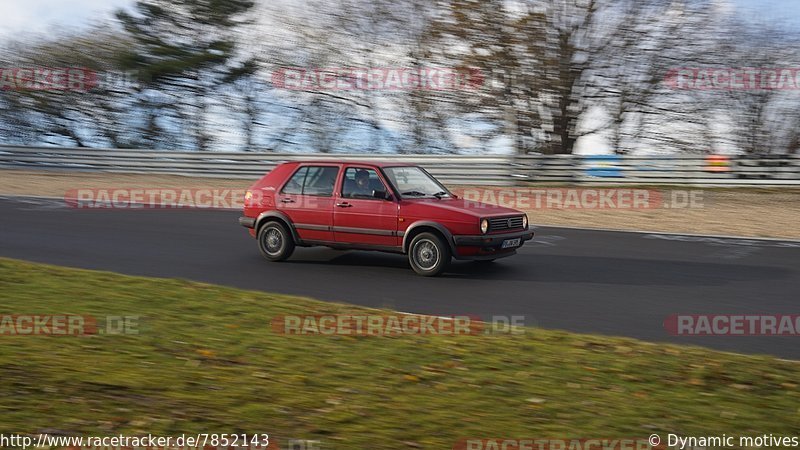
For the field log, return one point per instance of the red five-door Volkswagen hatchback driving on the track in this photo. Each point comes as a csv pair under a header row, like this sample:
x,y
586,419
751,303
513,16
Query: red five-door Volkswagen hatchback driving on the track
x,y
376,206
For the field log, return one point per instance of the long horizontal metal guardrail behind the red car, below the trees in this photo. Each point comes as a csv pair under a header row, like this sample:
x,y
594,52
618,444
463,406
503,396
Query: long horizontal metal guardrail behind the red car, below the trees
x,y
457,169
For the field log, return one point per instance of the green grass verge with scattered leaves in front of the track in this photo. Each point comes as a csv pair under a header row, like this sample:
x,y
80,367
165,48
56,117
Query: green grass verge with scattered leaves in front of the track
x,y
206,360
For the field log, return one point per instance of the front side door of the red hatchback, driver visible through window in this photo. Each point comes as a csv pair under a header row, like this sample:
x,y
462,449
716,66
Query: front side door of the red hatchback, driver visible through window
x,y
358,216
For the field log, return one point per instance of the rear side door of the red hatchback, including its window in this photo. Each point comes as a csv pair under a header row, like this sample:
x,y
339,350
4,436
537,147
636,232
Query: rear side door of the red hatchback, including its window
x,y
307,199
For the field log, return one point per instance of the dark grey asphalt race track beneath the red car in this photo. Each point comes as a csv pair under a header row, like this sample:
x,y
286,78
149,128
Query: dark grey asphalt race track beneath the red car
x,y
612,283
